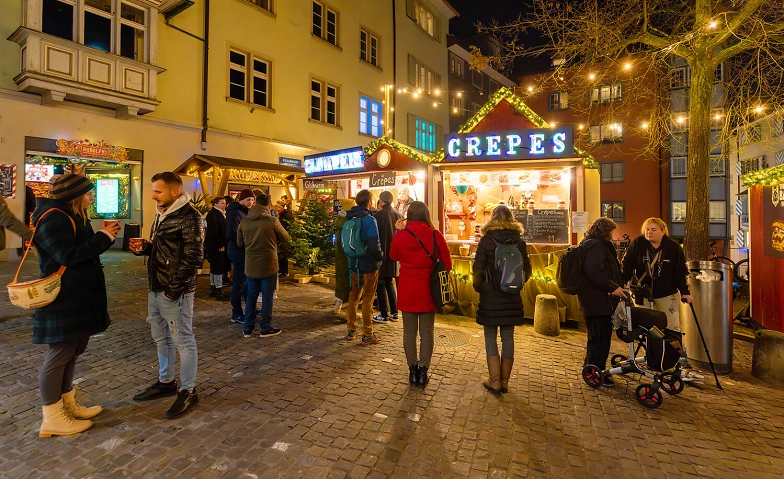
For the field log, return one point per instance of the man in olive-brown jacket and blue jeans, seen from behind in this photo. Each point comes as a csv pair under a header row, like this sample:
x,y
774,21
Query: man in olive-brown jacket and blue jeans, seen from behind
x,y
259,234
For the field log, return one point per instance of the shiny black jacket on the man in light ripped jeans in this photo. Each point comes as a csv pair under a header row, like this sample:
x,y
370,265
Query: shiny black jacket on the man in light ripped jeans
x,y
176,249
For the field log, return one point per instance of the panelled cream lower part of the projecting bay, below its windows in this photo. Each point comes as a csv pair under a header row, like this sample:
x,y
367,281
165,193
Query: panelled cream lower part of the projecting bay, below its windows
x,y
59,70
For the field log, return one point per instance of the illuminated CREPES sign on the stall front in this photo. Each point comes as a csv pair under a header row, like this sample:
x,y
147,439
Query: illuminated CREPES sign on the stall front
x,y
534,144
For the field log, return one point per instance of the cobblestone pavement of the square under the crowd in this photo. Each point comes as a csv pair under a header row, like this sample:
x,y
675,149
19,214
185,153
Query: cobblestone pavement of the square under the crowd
x,y
309,404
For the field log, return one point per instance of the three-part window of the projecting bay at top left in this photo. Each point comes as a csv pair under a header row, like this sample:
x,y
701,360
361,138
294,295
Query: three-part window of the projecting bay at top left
x,y
97,24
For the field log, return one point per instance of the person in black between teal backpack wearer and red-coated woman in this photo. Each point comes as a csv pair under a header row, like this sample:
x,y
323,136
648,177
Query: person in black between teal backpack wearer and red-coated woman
x,y
386,217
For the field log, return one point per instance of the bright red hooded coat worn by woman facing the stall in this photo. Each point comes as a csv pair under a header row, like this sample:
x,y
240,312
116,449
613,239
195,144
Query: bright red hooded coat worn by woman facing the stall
x,y
413,288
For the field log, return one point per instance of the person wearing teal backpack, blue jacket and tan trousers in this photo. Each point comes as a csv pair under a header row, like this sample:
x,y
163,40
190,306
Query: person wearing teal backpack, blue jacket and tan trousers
x,y
359,241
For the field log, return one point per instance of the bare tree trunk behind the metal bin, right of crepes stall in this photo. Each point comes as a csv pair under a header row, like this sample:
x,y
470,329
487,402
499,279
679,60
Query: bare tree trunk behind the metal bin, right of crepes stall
x,y
698,162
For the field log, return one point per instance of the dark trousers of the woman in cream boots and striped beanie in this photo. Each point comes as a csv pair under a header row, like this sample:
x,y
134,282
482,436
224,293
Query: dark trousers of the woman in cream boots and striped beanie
x,y
56,377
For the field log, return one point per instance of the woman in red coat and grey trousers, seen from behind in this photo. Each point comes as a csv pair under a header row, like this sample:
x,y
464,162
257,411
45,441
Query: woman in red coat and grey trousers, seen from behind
x,y
414,299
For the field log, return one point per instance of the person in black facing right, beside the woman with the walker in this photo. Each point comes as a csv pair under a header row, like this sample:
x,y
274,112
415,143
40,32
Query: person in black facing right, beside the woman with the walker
x,y
600,290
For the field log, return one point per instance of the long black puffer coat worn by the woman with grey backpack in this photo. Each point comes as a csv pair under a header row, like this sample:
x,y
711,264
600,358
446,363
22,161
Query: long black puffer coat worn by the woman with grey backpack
x,y
497,308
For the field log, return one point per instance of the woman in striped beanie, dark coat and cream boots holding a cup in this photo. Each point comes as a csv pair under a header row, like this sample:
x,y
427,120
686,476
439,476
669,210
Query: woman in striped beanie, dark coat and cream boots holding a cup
x,y
64,237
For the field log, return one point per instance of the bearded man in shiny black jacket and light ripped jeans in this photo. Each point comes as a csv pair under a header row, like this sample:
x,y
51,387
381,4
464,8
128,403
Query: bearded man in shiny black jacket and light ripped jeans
x,y
176,251
